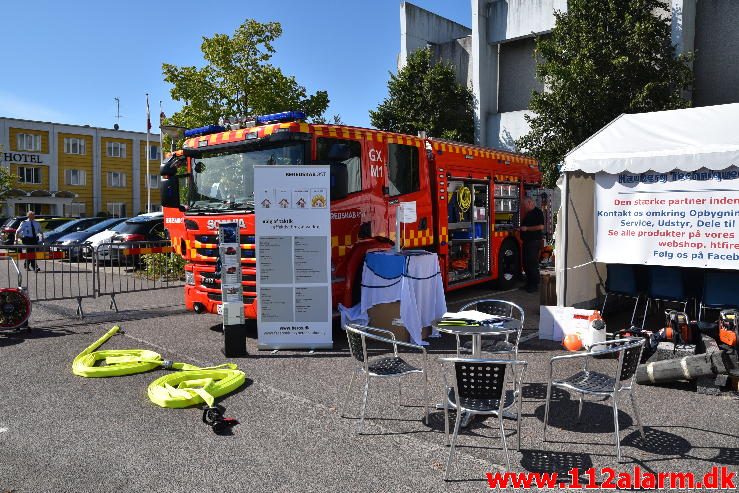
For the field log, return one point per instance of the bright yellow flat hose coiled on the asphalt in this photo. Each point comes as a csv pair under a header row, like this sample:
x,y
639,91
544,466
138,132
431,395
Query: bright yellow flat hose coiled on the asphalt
x,y
188,387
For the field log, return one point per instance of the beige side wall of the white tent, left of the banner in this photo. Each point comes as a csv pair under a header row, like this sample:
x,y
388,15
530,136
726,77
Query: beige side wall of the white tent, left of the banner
x,y
579,281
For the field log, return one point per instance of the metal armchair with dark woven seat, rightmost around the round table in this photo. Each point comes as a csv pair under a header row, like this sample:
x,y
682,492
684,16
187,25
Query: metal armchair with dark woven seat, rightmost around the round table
x,y
590,382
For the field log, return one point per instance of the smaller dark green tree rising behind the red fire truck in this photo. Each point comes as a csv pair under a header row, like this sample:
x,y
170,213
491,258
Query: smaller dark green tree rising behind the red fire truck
x,y
425,96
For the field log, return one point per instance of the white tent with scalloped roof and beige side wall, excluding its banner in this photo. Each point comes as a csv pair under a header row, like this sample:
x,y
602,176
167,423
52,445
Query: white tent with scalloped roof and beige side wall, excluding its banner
x,y
685,140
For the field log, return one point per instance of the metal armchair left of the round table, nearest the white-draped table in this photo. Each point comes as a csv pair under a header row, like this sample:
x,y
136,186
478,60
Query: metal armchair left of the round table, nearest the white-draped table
x,y
384,367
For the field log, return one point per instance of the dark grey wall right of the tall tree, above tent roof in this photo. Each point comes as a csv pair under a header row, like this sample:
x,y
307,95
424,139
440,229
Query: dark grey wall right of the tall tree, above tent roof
x,y
716,63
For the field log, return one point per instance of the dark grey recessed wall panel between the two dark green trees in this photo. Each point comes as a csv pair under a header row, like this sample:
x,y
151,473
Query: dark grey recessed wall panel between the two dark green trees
x,y
517,75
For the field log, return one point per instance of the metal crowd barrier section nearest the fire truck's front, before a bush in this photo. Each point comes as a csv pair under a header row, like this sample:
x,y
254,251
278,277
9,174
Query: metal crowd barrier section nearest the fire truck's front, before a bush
x,y
128,267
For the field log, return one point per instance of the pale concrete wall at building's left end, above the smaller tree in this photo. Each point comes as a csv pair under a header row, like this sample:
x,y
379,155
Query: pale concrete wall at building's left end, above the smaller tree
x,y
419,27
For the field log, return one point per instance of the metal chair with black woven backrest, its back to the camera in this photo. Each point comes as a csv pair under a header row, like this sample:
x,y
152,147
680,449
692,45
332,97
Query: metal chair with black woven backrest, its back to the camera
x,y
486,387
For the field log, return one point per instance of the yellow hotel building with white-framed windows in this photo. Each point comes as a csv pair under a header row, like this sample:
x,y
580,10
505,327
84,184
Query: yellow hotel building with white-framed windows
x,y
74,170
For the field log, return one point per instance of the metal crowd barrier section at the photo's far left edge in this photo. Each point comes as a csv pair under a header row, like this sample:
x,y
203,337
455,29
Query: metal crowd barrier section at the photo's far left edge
x,y
51,273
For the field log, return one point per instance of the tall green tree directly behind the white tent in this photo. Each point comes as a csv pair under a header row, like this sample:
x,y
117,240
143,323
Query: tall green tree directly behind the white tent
x,y
603,58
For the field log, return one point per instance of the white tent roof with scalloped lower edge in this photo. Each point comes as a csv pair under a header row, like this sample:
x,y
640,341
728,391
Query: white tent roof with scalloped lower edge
x,y
662,141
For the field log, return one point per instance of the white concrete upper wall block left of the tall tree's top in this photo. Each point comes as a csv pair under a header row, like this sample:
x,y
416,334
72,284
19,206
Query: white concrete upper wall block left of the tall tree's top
x,y
511,19
